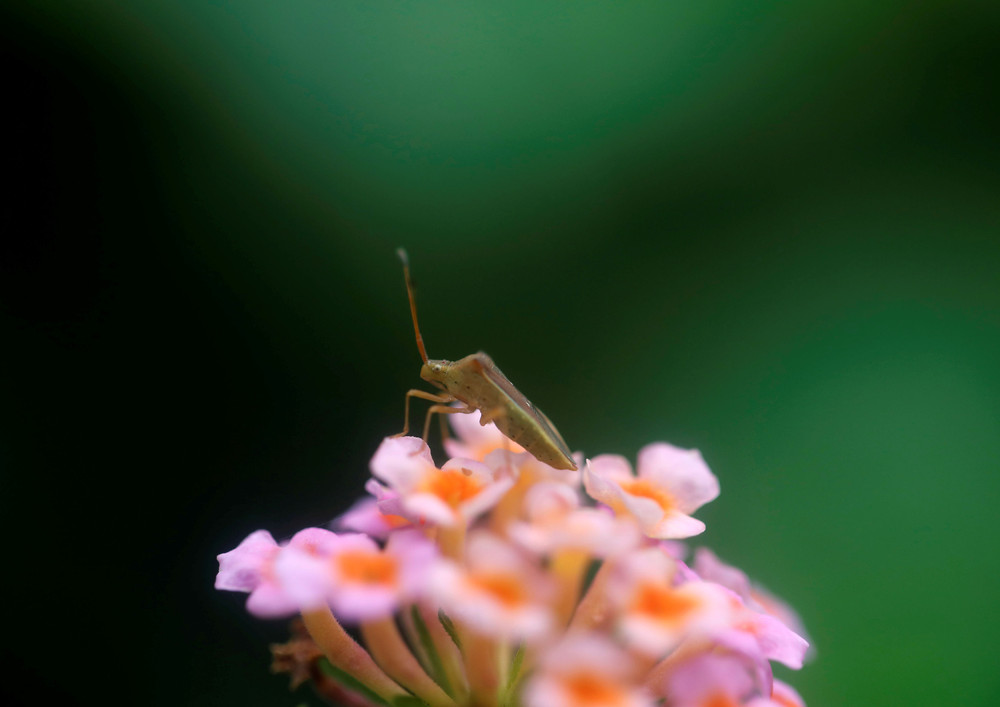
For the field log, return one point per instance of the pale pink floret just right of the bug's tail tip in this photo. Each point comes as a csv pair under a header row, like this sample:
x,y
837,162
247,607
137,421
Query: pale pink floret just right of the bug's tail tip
x,y
672,483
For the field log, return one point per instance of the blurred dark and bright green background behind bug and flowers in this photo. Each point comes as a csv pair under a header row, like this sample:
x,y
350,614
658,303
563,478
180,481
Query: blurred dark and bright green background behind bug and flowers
x,y
768,230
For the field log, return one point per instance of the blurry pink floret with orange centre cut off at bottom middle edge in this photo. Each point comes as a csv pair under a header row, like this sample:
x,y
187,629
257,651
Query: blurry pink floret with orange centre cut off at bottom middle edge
x,y
586,670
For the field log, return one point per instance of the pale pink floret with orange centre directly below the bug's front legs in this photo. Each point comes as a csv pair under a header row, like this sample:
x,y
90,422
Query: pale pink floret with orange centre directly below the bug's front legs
x,y
453,495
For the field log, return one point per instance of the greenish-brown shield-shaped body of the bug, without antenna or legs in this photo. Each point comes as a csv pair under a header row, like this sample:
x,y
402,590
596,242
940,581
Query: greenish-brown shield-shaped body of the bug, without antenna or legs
x,y
476,381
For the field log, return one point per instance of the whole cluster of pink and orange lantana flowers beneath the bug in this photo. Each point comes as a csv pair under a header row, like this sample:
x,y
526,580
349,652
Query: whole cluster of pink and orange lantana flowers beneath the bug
x,y
494,580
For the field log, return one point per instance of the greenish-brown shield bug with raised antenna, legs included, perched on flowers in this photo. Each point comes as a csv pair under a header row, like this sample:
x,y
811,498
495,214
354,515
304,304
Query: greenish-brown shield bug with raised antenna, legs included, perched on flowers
x,y
477,383
